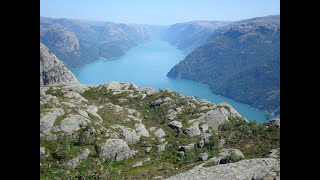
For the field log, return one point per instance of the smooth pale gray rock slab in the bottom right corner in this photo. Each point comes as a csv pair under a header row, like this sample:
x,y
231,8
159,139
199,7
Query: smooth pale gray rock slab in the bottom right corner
x,y
245,169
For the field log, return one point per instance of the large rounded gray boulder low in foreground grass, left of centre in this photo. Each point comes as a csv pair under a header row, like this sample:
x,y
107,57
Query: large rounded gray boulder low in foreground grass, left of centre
x,y
117,149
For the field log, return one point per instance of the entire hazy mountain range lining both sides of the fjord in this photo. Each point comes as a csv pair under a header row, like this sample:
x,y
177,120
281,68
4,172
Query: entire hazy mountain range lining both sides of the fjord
x,y
240,60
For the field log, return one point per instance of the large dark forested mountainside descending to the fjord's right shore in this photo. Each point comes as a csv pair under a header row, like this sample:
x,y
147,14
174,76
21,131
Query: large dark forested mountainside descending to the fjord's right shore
x,y
240,61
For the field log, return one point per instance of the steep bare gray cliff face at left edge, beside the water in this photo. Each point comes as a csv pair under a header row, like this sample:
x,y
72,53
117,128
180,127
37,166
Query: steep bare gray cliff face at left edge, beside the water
x,y
52,70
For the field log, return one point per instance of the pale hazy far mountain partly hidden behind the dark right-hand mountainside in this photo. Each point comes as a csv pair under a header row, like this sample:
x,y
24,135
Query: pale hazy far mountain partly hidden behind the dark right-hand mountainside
x,y
190,35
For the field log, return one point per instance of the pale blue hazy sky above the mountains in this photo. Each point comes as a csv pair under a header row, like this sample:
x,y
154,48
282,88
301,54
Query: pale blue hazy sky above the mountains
x,y
162,12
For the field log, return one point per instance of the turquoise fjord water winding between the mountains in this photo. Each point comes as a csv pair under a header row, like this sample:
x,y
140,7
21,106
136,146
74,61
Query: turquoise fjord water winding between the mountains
x,y
147,65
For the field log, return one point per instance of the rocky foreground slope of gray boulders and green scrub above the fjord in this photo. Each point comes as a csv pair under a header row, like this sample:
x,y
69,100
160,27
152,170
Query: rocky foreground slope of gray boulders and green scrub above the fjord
x,y
120,130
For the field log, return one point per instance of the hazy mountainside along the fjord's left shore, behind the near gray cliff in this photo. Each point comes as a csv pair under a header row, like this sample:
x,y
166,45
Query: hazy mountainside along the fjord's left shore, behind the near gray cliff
x,y
78,42
